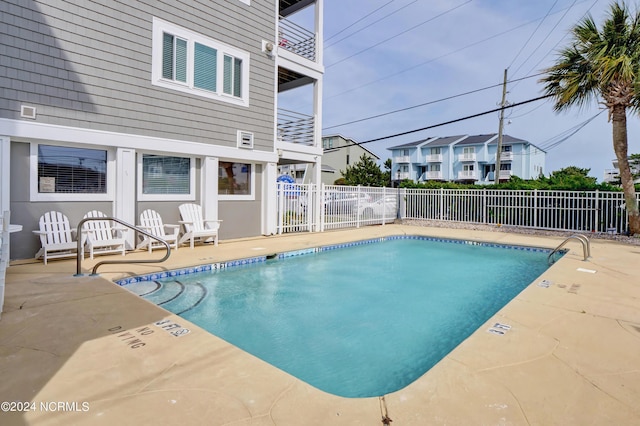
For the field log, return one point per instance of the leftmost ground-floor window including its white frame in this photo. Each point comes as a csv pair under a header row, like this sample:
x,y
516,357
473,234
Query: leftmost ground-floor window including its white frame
x,y
60,173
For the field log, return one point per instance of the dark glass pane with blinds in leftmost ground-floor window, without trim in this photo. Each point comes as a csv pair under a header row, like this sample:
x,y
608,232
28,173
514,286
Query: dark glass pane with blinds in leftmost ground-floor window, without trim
x,y
71,170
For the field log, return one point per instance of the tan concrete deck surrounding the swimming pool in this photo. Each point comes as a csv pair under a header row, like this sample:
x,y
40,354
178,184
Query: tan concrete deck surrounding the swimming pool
x,y
84,351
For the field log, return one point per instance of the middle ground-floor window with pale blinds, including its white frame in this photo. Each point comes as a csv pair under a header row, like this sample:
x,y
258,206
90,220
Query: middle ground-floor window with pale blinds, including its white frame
x,y
163,177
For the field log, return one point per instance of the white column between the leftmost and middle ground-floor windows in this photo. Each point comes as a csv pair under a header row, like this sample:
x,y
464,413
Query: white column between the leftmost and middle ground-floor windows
x,y
125,201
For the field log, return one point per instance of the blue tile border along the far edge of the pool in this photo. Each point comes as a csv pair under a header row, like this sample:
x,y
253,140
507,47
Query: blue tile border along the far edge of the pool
x,y
302,252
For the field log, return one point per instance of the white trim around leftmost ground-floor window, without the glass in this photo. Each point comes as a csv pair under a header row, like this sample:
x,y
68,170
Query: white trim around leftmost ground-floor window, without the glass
x,y
34,195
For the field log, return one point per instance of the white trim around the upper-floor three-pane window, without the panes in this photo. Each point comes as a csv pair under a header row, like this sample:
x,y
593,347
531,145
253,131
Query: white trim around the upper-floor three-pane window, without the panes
x,y
160,26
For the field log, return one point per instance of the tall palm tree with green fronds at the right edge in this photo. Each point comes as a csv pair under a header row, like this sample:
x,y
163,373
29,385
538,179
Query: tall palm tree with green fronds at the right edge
x,y
603,65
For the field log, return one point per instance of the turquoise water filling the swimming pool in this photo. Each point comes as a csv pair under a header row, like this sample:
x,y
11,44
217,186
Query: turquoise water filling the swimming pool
x,y
359,321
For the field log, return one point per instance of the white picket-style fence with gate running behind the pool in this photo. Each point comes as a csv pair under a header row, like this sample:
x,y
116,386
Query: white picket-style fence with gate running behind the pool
x,y
348,206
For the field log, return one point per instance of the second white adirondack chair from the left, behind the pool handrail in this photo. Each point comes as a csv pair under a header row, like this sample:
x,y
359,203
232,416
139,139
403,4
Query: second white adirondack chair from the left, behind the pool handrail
x,y
101,236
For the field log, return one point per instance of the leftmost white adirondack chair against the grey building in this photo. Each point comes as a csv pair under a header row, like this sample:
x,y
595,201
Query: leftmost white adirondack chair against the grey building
x,y
56,237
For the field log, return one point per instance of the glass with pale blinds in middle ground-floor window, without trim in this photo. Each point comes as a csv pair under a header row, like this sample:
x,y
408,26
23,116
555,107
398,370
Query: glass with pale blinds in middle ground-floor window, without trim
x,y
165,175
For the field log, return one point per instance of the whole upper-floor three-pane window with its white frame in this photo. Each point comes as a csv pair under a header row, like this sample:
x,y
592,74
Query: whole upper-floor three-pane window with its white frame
x,y
186,61
